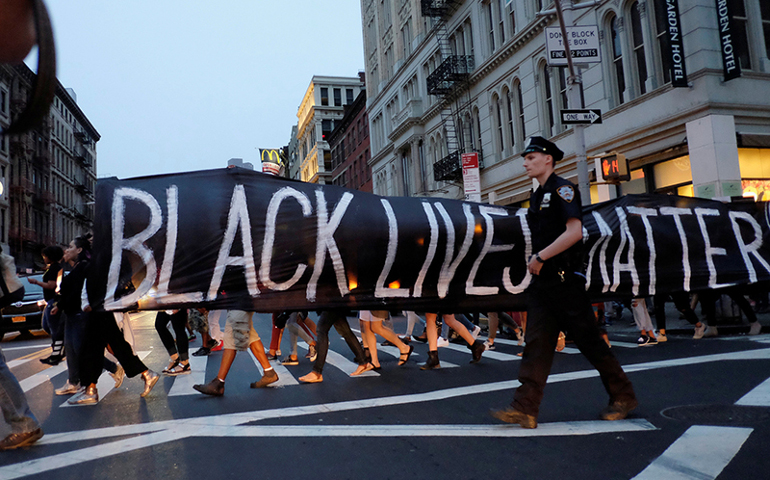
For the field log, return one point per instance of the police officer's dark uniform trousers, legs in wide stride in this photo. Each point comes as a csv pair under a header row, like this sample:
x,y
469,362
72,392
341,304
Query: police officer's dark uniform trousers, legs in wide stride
x,y
555,307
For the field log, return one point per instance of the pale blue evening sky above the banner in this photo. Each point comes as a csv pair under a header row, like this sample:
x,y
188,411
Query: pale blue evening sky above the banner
x,y
175,86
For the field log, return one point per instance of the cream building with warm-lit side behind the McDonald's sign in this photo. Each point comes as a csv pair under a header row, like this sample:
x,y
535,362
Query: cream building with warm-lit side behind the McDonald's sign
x,y
321,107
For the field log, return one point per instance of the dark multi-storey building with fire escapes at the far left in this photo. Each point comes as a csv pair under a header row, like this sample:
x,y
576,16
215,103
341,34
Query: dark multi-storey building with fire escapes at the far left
x,y
48,174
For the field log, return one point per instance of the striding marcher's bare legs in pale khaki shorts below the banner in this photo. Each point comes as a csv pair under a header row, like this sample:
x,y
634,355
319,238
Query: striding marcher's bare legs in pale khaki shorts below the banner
x,y
239,335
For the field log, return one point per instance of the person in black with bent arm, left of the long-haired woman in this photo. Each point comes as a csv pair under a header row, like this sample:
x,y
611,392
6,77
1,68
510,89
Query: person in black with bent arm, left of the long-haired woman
x,y
51,323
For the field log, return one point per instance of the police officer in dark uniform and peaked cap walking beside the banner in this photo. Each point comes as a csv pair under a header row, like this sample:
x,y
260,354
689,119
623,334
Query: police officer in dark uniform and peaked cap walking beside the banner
x,y
557,299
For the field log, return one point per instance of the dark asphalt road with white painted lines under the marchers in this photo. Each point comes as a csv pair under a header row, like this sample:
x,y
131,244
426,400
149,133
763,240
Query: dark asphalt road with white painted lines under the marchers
x,y
704,411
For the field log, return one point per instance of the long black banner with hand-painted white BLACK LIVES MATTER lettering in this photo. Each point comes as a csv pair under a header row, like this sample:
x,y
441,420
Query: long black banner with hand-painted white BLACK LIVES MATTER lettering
x,y
234,238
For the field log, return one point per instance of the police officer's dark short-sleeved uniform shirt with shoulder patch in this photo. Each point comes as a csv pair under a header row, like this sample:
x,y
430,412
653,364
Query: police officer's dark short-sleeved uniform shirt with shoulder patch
x,y
552,204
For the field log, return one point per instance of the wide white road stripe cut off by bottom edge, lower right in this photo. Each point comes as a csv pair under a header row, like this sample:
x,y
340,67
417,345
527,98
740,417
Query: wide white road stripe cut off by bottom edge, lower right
x,y
700,453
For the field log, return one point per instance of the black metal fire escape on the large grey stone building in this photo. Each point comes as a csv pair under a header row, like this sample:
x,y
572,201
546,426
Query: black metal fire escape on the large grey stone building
x,y
450,82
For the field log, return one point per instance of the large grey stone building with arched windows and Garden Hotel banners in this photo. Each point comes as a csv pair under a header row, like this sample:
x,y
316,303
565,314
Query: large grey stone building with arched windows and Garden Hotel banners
x,y
485,61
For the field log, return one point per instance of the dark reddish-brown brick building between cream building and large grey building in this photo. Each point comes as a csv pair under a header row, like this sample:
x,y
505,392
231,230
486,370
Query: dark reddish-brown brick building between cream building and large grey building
x,y
349,143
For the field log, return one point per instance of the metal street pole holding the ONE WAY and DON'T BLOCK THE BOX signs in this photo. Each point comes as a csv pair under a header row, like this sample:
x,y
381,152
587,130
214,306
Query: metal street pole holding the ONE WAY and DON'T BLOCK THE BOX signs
x,y
573,98
